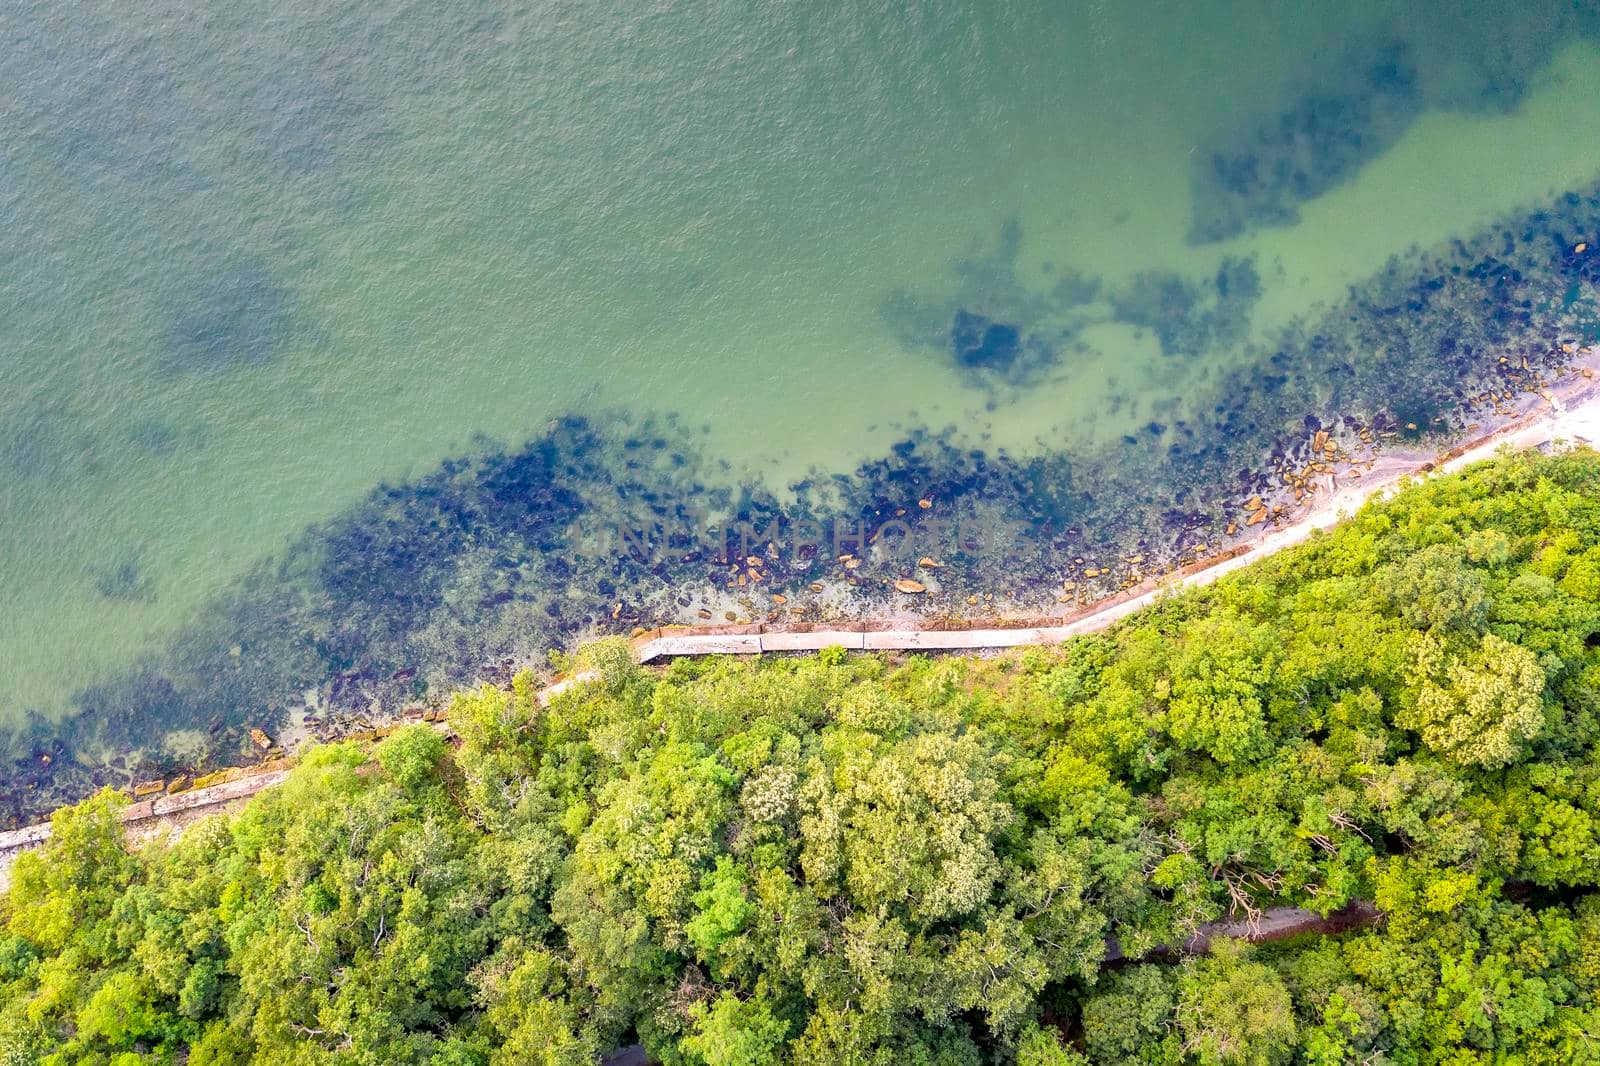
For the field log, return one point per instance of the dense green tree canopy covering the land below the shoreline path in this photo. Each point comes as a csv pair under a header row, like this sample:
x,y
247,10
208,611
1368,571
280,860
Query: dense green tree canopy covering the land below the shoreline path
x,y
847,860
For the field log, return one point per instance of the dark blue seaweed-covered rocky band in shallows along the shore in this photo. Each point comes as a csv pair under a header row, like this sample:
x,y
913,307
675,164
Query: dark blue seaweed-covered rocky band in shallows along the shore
x,y
487,563
